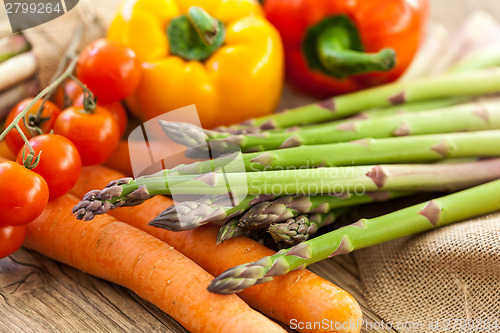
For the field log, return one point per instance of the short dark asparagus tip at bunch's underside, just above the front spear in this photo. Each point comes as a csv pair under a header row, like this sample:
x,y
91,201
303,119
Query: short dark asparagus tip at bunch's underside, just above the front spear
x,y
298,229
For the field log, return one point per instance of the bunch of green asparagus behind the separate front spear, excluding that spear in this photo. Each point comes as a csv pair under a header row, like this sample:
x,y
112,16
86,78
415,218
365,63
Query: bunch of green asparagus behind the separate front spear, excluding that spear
x,y
281,199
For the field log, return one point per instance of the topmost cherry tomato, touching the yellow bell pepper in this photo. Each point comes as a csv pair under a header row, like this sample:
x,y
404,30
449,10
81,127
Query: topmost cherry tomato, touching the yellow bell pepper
x,y
110,70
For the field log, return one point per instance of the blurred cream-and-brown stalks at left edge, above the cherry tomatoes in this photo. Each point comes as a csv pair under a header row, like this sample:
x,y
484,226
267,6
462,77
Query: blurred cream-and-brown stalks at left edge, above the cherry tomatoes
x,y
17,72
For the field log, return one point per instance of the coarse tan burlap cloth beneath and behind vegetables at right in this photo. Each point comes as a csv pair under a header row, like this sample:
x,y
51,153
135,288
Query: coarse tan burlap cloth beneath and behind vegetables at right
x,y
447,280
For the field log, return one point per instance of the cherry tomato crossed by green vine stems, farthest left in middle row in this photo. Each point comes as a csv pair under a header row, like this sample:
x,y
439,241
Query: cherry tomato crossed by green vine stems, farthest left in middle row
x,y
50,113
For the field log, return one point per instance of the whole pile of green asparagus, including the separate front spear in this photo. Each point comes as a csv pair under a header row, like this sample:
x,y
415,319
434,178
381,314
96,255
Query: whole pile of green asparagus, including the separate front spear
x,y
302,169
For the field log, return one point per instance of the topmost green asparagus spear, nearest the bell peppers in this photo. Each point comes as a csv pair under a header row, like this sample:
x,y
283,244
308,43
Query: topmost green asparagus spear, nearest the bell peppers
x,y
477,82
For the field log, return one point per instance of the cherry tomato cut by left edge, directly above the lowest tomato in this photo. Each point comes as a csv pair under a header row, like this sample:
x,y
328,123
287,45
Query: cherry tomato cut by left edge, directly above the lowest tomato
x,y
23,194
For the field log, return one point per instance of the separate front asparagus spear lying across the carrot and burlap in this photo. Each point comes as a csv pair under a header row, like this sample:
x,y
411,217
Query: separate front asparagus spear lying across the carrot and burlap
x,y
432,214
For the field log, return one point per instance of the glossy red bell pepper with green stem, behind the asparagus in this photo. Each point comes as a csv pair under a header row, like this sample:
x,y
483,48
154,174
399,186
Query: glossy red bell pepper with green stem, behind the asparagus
x,y
338,46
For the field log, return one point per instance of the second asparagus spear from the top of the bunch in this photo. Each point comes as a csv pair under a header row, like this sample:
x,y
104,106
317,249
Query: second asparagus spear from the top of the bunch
x,y
466,117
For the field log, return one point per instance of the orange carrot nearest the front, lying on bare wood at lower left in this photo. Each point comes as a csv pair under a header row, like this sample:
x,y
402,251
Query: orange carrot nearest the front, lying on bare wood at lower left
x,y
154,270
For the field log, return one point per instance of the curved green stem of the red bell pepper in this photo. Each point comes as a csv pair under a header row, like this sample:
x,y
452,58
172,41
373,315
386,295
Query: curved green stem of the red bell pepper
x,y
334,47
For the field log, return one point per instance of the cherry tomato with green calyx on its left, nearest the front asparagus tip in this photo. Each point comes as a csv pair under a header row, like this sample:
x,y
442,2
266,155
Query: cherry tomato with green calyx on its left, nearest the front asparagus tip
x,y
59,164
